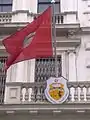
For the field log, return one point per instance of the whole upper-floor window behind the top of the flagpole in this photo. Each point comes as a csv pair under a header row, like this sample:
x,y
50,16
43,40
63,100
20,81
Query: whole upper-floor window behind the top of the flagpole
x,y
43,4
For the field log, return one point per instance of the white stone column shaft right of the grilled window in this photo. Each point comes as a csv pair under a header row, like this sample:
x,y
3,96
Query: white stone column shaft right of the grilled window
x,y
72,66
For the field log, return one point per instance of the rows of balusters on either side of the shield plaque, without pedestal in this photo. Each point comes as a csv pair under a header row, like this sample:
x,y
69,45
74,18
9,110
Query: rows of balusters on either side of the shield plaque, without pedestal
x,y
34,92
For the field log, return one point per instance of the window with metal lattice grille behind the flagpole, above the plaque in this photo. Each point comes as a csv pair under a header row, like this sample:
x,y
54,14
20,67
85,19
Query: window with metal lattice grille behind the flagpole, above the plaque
x,y
45,68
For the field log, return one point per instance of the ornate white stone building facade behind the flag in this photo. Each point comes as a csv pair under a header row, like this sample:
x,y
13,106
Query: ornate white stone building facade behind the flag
x,y
22,87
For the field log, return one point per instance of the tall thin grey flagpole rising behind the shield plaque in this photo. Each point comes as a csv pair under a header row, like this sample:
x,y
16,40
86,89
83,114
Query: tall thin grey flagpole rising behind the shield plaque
x,y
54,36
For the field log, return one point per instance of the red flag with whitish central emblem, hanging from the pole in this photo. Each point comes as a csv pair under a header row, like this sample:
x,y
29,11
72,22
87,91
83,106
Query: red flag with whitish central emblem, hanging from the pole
x,y
33,41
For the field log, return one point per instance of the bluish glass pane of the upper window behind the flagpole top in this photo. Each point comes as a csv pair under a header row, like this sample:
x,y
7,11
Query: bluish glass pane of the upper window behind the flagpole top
x,y
42,7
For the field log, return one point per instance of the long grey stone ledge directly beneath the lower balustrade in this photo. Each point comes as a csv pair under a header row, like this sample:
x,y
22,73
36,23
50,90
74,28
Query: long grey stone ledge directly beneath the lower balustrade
x,y
70,107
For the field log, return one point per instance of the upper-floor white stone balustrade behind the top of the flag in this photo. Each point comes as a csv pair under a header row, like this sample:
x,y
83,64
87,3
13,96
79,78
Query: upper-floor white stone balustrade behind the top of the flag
x,y
6,17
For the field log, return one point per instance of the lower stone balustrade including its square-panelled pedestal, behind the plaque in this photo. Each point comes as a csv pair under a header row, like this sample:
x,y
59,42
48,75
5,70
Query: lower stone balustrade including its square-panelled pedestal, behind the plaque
x,y
28,93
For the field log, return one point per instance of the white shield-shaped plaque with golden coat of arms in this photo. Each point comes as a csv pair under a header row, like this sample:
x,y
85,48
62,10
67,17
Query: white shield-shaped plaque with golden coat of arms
x,y
56,90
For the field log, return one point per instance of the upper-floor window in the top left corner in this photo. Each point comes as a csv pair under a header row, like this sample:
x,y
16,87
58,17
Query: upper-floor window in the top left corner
x,y
5,5
